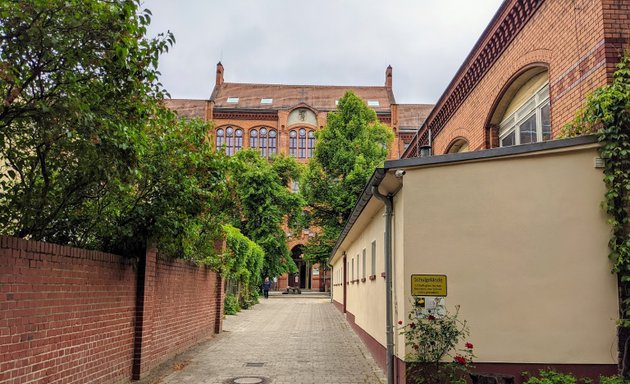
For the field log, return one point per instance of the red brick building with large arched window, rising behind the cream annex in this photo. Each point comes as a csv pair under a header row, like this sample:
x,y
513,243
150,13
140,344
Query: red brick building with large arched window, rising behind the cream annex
x,y
527,75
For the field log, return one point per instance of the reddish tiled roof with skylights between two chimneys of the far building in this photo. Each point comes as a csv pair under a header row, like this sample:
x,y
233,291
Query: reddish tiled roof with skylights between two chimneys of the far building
x,y
319,97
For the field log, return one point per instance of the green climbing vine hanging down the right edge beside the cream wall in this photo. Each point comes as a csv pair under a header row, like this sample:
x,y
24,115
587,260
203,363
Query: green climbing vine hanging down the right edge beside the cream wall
x,y
607,114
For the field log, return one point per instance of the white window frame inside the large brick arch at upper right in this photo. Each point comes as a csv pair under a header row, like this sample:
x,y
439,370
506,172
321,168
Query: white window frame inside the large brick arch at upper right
x,y
532,106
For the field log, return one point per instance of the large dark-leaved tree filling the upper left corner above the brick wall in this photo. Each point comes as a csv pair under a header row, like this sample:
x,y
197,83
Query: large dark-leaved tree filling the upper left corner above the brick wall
x,y
78,81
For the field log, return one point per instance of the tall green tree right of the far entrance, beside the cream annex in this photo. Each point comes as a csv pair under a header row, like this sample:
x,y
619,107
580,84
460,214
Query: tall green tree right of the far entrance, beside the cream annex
x,y
348,148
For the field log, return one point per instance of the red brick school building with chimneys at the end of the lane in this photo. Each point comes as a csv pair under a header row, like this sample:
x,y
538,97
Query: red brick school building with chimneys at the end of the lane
x,y
283,119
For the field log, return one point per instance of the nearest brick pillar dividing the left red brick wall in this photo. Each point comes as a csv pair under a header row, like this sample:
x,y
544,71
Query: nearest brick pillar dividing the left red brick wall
x,y
145,290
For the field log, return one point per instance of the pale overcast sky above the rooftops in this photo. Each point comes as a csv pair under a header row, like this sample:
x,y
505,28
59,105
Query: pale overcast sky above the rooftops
x,y
323,42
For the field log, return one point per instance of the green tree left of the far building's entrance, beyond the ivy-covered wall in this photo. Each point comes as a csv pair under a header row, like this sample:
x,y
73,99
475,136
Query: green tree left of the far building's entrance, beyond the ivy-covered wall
x,y
262,204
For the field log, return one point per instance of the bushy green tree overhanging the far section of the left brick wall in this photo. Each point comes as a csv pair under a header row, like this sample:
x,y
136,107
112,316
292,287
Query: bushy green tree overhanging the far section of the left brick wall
x,y
175,196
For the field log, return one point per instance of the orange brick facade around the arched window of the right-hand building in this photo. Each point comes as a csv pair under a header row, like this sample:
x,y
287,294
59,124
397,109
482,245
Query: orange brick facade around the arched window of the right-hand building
x,y
580,43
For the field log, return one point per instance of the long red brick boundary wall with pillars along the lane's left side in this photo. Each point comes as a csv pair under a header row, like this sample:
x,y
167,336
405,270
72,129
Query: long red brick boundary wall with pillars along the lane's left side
x,y
73,316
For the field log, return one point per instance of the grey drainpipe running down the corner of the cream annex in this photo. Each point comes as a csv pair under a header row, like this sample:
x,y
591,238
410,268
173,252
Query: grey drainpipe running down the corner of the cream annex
x,y
389,205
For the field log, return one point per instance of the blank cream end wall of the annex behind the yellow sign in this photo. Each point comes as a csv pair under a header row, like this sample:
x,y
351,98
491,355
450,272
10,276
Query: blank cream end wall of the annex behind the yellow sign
x,y
523,242
